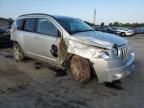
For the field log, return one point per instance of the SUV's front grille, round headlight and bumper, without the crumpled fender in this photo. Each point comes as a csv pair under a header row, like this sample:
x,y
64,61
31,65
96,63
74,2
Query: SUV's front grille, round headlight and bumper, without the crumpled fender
x,y
116,66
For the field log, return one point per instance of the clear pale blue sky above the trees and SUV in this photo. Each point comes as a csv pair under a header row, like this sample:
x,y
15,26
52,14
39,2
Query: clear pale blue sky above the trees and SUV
x,y
107,10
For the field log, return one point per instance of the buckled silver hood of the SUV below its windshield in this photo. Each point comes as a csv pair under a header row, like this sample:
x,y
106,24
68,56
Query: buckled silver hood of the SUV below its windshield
x,y
99,39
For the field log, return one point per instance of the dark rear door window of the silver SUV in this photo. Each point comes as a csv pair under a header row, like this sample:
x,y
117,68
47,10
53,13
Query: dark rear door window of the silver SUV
x,y
29,25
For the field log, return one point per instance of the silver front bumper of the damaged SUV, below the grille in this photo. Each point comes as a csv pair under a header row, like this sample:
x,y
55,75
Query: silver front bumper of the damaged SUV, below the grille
x,y
111,70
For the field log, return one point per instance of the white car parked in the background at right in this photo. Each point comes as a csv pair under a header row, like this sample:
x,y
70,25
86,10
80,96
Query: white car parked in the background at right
x,y
124,32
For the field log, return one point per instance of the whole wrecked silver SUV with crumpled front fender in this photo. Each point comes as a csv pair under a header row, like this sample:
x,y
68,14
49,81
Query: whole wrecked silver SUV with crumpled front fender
x,y
72,44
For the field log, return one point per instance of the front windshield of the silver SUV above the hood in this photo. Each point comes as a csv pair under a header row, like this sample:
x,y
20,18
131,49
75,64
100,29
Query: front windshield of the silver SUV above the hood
x,y
72,25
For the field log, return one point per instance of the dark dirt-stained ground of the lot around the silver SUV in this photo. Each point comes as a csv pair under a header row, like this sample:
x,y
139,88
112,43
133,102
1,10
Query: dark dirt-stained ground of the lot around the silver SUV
x,y
30,84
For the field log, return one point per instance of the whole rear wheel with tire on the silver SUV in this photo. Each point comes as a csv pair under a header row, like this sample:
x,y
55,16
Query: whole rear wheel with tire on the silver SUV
x,y
17,52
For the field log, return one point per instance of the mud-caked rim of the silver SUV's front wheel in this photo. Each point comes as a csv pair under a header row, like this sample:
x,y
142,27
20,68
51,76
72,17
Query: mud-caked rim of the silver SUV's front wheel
x,y
75,68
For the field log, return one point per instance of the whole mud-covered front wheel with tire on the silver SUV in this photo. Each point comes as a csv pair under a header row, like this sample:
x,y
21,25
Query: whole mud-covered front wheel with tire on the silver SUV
x,y
80,69
